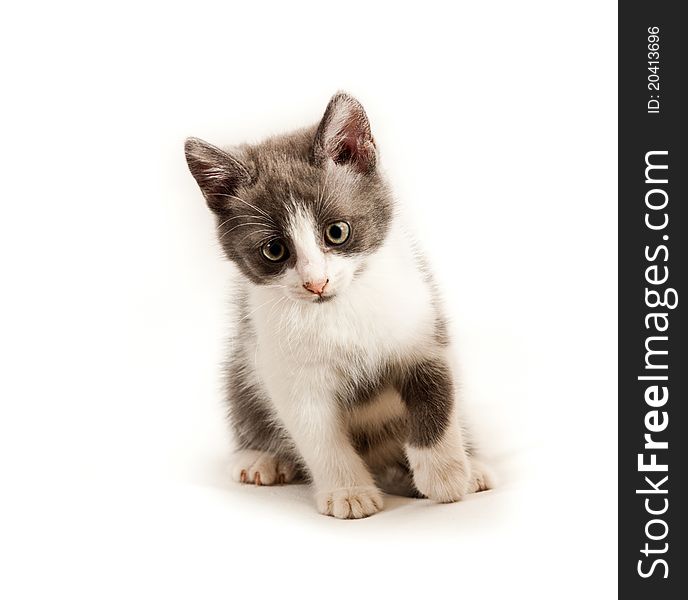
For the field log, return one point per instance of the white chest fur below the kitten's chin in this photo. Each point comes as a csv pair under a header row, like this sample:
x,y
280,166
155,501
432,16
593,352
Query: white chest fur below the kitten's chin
x,y
386,312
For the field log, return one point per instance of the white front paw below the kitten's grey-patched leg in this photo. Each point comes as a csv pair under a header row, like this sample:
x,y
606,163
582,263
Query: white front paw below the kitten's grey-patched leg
x,y
440,478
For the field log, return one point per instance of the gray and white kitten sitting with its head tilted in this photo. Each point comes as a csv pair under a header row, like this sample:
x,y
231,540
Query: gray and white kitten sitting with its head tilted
x,y
340,367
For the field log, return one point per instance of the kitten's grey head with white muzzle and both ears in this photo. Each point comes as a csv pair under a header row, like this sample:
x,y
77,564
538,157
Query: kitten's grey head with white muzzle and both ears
x,y
302,211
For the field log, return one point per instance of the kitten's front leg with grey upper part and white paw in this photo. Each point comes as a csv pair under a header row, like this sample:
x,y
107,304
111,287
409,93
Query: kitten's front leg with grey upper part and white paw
x,y
435,447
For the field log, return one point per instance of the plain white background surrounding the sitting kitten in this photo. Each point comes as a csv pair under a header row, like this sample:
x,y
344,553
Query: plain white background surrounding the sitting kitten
x,y
497,126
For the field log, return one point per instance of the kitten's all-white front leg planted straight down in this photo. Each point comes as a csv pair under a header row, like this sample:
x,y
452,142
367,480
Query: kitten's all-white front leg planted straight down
x,y
344,487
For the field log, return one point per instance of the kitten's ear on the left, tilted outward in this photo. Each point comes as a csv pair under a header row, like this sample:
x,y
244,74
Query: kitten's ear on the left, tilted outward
x,y
217,173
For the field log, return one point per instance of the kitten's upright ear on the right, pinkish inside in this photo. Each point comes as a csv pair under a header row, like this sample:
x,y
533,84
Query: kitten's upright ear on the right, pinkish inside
x,y
344,135
